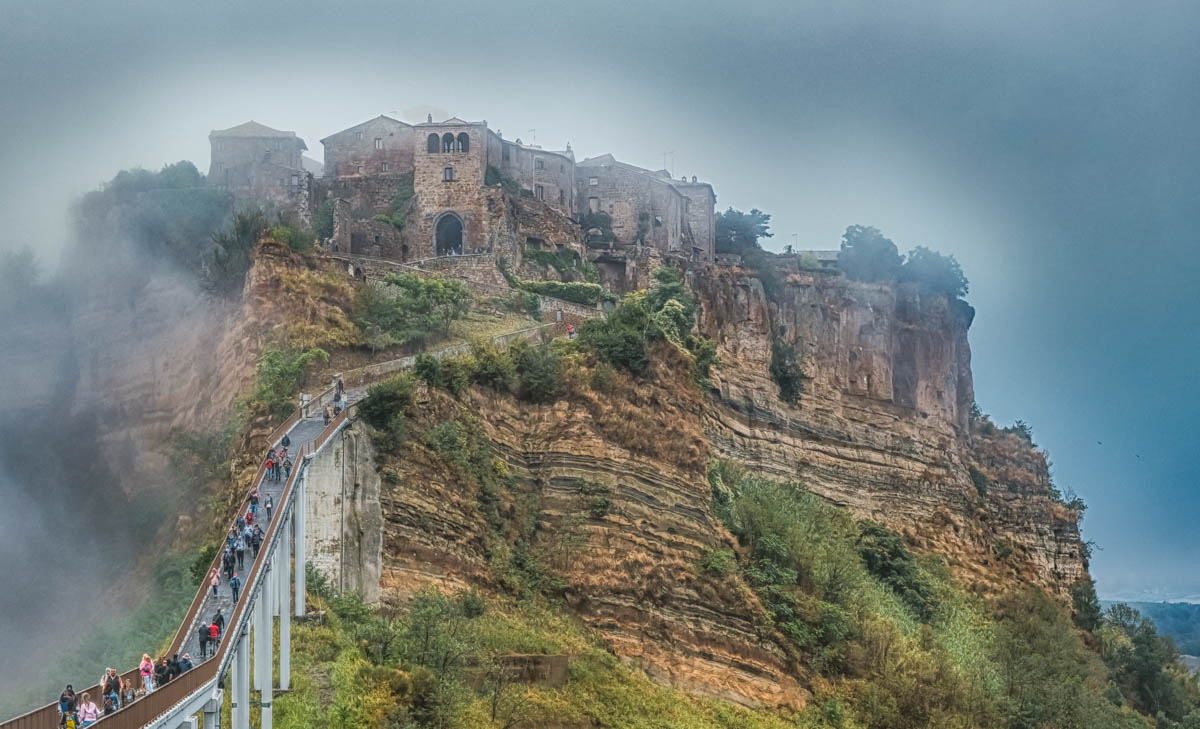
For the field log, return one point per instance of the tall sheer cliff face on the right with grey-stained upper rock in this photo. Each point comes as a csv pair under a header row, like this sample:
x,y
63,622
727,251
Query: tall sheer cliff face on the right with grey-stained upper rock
x,y
884,426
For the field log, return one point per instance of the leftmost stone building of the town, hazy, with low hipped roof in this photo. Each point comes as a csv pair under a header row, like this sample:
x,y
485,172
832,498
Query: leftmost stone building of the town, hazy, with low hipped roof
x,y
261,165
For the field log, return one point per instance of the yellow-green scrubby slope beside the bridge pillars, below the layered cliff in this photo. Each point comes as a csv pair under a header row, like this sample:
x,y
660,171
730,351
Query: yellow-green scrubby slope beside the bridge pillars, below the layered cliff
x,y
440,665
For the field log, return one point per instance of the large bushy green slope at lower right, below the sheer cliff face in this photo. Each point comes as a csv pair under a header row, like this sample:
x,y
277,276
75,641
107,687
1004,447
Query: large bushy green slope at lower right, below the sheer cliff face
x,y
901,646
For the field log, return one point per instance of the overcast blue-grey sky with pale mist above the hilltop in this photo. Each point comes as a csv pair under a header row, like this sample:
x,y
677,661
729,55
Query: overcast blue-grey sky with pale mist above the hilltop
x,y
1054,150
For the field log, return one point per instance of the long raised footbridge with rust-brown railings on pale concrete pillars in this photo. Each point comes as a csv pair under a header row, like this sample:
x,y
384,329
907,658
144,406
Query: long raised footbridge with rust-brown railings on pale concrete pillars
x,y
273,587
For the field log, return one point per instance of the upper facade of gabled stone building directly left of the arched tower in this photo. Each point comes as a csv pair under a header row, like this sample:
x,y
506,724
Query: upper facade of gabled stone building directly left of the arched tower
x,y
357,153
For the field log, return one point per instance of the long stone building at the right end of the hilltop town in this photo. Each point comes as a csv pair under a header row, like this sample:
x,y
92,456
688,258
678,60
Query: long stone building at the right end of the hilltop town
x,y
647,208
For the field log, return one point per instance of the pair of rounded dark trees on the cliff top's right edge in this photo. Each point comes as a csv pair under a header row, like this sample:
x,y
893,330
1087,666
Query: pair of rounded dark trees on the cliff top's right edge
x,y
868,256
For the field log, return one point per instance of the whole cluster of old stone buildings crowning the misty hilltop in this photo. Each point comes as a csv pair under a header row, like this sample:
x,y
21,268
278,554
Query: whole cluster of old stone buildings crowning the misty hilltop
x,y
412,192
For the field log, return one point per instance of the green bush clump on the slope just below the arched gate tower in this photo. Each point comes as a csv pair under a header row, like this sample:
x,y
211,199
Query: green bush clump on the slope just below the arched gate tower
x,y
412,310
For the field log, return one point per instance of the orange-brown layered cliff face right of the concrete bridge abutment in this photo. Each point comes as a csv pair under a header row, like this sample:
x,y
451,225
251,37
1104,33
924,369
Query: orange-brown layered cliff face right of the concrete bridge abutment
x,y
631,561
